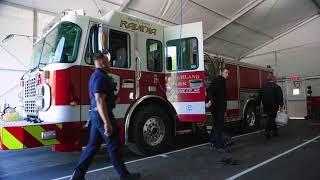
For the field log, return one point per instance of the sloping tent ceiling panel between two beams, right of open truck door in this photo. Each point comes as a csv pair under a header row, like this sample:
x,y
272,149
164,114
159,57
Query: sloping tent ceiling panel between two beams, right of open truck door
x,y
262,24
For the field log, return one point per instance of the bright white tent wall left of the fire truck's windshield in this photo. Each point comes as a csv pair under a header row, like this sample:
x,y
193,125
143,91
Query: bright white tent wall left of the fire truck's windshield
x,y
15,54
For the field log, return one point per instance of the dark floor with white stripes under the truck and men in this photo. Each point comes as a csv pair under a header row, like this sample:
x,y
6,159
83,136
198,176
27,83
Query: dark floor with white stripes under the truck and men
x,y
190,164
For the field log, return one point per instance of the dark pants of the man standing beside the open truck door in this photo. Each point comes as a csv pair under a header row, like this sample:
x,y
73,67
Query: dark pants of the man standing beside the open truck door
x,y
217,130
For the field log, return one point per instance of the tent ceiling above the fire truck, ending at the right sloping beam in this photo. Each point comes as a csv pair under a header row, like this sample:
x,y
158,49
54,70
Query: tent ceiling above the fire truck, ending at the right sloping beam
x,y
232,28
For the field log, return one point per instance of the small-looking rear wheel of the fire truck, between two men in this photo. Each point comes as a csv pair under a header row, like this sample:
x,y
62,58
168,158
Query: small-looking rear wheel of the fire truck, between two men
x,y
250,121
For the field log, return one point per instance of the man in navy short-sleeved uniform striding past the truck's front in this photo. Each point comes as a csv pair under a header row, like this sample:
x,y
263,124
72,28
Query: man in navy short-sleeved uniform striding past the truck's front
x,y
103,122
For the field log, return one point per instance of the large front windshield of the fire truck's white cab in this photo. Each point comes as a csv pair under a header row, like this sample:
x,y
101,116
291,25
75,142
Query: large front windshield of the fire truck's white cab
x,y
60,45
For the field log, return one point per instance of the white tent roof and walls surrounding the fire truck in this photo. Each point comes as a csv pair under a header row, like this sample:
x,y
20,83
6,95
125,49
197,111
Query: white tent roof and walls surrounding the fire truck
x,y
248,30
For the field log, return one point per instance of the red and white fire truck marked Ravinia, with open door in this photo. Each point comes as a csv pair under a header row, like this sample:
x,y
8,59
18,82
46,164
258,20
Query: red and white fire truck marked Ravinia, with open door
x,y
161,74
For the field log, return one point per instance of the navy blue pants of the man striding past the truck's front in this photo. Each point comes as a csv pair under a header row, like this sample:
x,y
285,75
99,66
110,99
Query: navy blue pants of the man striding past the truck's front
x,y
96,137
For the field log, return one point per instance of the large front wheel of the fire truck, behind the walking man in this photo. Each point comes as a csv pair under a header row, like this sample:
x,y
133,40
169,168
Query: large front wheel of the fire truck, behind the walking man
x,y
152,130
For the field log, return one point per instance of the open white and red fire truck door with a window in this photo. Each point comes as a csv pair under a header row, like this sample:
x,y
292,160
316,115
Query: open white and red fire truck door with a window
x,y
185,78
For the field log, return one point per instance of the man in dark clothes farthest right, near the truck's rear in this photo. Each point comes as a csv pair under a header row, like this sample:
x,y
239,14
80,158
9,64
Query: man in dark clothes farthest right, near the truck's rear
x,y
272,101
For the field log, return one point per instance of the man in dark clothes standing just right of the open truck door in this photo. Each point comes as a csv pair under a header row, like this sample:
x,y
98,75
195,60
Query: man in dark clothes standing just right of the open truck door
x,y
218,103
